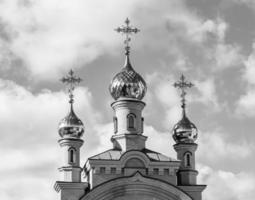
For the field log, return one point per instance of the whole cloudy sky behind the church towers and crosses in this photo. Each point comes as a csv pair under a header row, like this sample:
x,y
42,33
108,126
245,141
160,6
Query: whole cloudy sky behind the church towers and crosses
x,y
211,42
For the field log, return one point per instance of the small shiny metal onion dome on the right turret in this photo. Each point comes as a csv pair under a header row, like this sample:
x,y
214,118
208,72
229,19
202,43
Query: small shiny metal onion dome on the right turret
x,y
185,131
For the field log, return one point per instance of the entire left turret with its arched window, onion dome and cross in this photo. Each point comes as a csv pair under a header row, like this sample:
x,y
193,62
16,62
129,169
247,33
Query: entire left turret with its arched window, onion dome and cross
x,y
70,130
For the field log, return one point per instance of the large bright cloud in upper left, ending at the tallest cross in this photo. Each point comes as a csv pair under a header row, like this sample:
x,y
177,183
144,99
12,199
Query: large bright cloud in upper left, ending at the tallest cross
x,y
52,35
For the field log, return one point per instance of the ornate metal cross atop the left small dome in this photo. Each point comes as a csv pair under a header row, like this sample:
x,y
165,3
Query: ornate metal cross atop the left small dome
x,y
71,80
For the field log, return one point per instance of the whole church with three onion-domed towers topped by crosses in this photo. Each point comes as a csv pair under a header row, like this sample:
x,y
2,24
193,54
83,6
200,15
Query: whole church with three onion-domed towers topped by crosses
x,y
129,170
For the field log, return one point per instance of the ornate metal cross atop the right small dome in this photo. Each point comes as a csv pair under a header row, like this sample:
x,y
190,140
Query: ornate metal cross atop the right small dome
x,y
183,85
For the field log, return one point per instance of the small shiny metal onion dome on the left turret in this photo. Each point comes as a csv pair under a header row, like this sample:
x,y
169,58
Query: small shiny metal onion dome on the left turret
x,y
71,126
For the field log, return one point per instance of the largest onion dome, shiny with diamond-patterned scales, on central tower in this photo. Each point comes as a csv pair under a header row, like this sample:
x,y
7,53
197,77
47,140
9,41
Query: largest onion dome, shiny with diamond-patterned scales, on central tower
x,y
128,83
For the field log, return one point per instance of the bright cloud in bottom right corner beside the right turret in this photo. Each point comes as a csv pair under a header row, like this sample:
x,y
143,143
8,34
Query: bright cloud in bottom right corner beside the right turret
x,y
226,185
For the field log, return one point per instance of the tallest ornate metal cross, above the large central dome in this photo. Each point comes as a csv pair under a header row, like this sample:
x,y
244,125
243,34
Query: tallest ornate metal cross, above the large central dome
x,y
127,30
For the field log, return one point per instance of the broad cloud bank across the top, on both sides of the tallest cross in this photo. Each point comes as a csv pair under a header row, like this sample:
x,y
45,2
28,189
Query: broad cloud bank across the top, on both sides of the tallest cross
x,y
47,37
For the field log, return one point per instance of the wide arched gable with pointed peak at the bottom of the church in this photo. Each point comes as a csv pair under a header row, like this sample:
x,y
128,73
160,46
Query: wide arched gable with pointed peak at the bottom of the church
x,y
136,187
